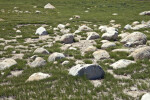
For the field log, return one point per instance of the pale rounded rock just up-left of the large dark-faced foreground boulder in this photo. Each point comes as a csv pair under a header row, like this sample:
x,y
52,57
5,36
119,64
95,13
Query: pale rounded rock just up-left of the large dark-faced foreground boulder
x,y
55,56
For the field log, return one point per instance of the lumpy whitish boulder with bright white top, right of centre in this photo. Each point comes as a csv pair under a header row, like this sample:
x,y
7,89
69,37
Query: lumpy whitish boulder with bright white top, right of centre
x,y
111,34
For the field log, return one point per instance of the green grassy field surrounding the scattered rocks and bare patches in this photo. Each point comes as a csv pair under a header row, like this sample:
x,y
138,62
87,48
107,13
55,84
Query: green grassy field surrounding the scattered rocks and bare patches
x,y
62,86
